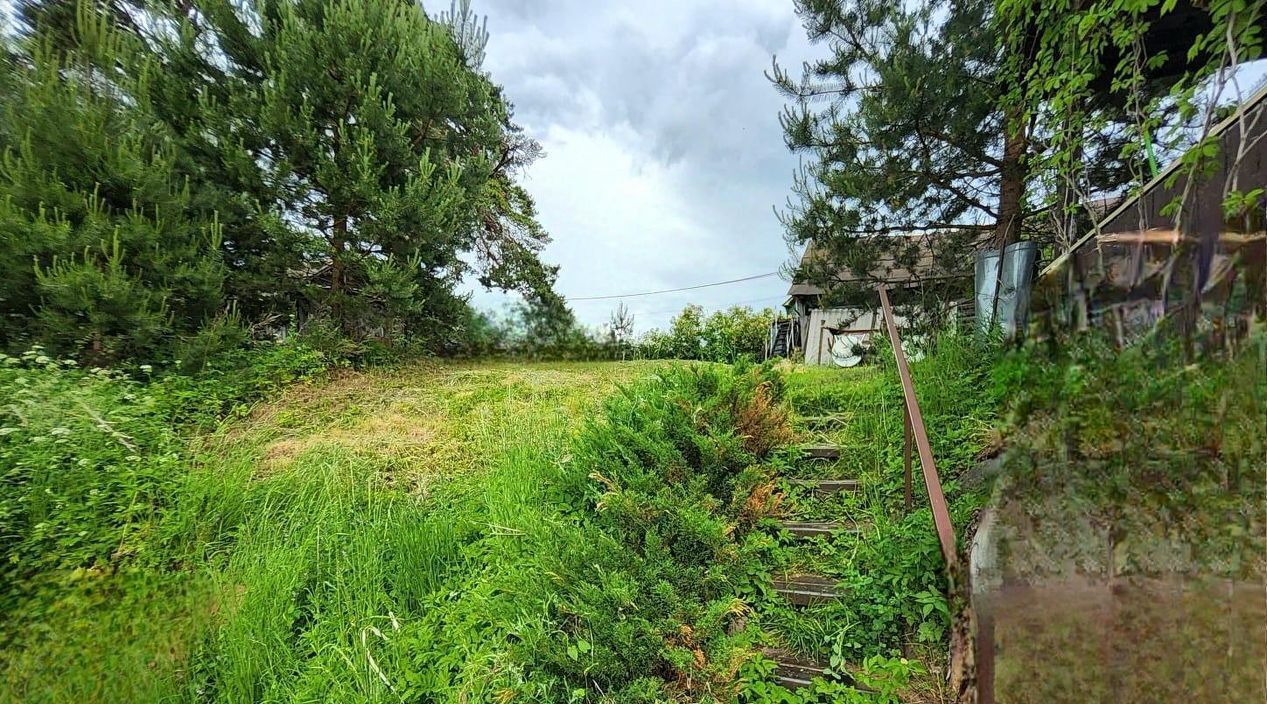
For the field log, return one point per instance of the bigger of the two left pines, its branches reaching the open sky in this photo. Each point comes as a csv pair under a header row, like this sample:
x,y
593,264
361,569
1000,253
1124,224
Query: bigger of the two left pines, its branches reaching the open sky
x,y
355,179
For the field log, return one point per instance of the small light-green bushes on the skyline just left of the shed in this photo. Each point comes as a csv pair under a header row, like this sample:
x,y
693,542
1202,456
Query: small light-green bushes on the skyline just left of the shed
x,y
727,336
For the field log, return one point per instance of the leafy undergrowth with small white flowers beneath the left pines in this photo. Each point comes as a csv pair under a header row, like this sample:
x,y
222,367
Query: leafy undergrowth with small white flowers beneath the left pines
x,y
89,459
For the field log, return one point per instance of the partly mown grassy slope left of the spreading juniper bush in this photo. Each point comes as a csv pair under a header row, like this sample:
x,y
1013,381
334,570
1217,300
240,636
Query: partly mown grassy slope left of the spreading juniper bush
x,y
359,540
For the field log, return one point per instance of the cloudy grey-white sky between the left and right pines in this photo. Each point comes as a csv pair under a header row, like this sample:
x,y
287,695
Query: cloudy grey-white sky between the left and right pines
x,y
665,155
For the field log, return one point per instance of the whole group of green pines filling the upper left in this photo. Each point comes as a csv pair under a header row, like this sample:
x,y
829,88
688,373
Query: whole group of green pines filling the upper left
x,y
183,177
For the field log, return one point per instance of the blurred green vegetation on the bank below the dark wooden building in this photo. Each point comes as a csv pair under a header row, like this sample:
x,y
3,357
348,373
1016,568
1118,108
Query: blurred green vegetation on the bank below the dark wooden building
x,y
1165,455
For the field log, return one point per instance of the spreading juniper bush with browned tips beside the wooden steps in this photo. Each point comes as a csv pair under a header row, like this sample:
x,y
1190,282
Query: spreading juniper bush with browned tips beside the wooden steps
x,y
662,482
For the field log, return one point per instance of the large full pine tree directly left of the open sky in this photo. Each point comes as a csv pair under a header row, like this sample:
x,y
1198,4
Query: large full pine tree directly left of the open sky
x,y
398,156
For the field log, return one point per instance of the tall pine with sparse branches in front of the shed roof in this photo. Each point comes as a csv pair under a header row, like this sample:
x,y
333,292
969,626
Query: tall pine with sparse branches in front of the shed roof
x,y
905,134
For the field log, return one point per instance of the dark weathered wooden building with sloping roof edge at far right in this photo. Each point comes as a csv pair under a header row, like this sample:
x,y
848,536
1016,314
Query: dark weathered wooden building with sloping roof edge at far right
x,y
1138,265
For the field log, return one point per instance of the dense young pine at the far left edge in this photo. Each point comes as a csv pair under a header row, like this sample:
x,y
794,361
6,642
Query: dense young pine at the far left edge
x,y
107,255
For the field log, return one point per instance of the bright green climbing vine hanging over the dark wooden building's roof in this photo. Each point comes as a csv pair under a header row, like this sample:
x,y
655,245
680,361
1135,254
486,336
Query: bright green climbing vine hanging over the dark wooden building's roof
x,y
1127,80
